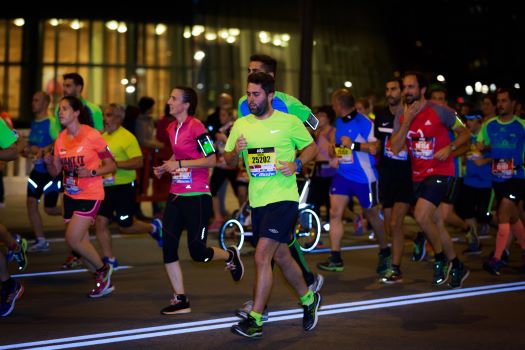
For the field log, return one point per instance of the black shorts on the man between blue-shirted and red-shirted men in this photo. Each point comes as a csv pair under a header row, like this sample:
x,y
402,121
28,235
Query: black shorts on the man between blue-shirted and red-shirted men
x,y
395,187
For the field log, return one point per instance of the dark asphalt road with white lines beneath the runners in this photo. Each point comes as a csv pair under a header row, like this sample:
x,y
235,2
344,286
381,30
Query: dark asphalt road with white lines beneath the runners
x,y
357,312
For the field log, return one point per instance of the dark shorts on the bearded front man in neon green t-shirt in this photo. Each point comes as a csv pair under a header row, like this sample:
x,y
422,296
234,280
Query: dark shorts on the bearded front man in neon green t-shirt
x,y
275,221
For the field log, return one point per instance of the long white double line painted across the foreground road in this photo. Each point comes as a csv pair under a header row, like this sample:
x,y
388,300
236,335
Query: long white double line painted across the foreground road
x,y
197,326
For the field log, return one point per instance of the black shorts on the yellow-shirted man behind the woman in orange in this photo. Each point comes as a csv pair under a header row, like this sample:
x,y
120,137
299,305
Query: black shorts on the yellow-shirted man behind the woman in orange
x,y
119,203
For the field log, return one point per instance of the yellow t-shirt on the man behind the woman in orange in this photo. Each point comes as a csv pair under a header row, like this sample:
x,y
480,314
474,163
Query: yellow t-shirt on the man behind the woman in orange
x,y
124,146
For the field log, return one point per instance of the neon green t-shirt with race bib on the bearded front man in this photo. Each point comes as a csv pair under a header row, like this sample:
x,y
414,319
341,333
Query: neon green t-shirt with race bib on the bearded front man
x,y
270,141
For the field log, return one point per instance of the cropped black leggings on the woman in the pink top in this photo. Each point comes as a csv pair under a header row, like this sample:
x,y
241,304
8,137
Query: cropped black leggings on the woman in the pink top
x,y
192,213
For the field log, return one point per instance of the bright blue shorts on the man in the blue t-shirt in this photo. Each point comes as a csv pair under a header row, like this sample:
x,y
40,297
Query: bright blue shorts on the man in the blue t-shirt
x,y
366,193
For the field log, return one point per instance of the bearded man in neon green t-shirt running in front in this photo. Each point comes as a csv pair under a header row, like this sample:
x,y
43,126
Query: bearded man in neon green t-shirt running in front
x,y
267,140
